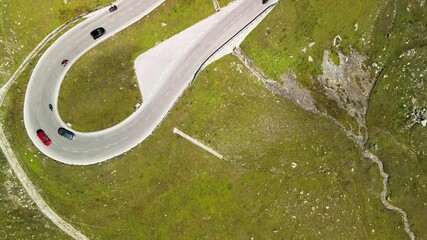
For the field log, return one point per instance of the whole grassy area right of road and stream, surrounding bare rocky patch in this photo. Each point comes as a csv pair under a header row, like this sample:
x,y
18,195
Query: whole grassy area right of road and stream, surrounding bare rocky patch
x,y
391,36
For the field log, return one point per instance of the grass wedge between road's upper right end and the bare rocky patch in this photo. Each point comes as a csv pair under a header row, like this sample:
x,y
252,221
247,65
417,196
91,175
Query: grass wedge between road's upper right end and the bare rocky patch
x,y
292,41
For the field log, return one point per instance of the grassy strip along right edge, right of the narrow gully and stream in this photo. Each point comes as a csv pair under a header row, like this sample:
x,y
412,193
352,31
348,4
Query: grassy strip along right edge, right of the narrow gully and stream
x,y
396,115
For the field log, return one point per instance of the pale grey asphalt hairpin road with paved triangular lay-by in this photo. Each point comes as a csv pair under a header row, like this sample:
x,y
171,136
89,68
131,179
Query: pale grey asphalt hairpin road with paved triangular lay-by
x,y
163,73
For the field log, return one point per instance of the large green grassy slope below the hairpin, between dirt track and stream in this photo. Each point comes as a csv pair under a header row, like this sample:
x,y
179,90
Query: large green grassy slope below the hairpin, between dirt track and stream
x,y
167,187
